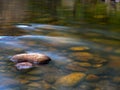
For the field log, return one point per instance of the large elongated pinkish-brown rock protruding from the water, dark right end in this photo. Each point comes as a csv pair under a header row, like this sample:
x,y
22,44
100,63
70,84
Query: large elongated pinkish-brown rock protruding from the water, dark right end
x,y
34,58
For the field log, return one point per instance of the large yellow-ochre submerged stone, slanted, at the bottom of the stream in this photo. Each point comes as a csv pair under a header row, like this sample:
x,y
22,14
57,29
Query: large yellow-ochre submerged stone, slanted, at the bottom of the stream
x,y
70,80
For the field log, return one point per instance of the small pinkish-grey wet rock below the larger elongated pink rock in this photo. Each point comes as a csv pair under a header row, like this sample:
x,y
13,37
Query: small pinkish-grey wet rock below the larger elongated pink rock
x,y
24,65
